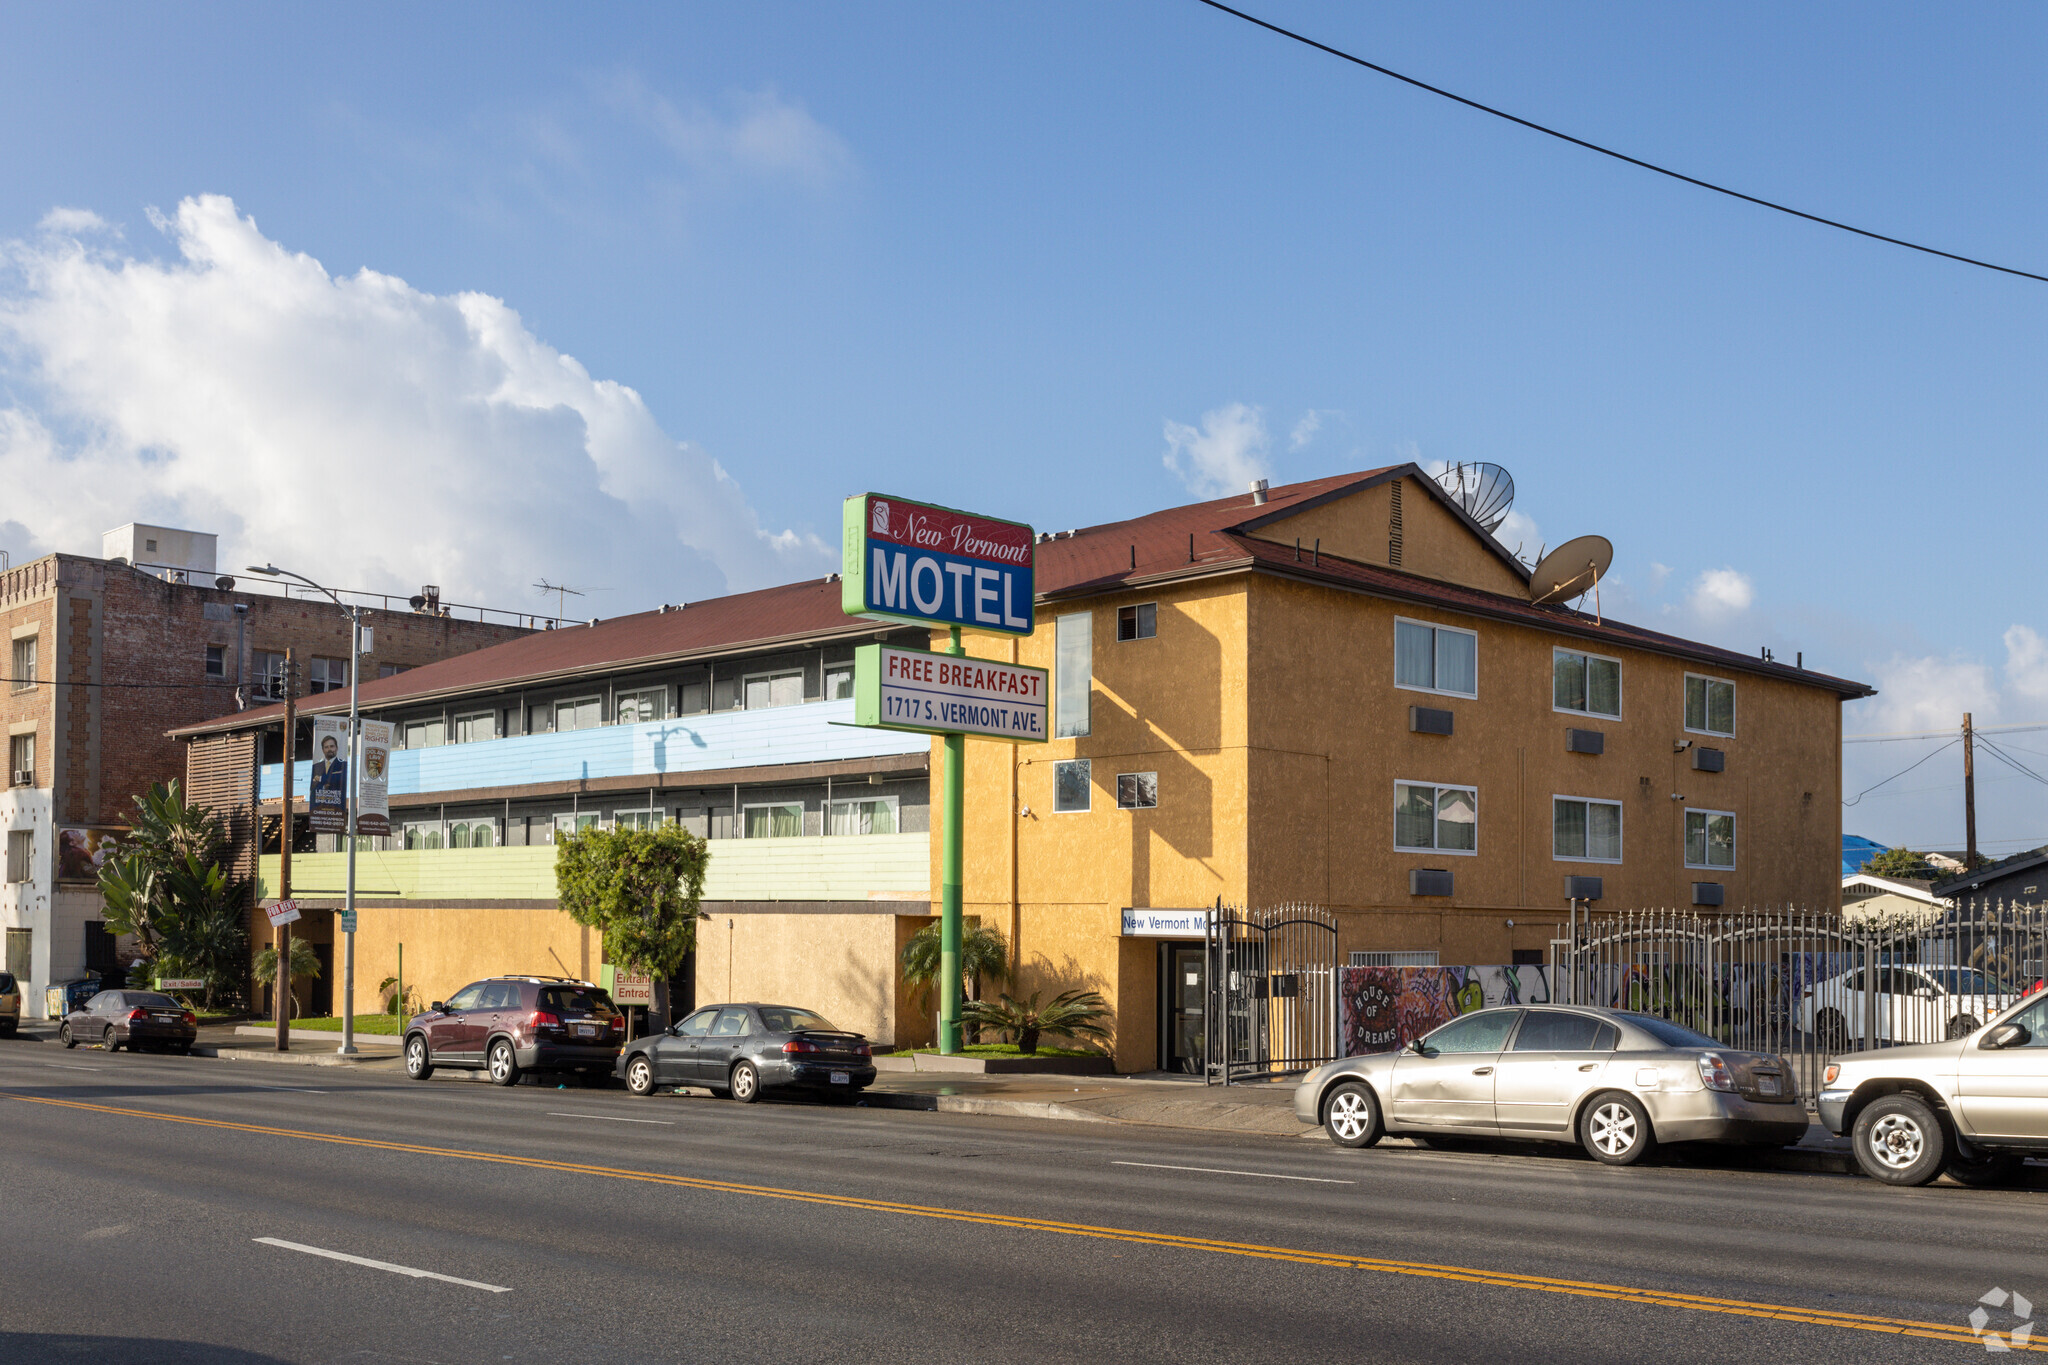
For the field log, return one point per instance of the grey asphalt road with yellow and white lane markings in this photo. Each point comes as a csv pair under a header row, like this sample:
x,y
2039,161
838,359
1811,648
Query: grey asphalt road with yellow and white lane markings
x,y
165,1208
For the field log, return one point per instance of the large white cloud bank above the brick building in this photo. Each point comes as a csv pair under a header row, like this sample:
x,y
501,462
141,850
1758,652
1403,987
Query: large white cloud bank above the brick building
x,y
355,429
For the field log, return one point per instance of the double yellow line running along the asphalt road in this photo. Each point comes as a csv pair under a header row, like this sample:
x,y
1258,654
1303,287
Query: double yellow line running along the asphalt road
x,y
1541,1284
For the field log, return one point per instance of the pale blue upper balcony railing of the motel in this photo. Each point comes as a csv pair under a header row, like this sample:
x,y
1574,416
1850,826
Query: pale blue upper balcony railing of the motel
x,y
810,734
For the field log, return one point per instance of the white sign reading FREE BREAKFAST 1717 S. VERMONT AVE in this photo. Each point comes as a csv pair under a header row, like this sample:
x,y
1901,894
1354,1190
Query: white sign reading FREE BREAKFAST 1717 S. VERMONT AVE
x,y
949,695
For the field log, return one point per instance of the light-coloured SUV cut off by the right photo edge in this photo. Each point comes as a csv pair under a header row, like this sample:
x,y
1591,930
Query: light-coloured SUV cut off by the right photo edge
x,y
1967,1108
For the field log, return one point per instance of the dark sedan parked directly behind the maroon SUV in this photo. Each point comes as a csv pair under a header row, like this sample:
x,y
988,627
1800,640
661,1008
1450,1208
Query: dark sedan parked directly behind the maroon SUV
x,y
744,1051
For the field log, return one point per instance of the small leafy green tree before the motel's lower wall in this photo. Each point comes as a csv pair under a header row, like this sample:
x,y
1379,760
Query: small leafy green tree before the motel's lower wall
x,y
640,889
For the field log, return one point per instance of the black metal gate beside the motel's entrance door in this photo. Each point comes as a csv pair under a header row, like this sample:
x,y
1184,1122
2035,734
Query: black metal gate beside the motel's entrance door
x,y
1273,992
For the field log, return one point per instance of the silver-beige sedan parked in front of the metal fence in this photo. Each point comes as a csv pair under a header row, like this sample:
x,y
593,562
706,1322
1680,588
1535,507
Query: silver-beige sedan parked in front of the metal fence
x,y
1619,1084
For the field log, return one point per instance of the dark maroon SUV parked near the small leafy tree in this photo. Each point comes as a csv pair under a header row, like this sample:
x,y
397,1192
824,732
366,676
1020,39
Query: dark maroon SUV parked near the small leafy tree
x,y
517,1024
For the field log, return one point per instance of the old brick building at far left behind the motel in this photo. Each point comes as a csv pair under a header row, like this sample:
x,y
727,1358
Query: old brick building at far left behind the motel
x,y
110,654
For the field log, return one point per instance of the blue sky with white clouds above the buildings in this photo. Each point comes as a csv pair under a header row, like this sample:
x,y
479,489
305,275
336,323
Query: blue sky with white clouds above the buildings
x,y
998,257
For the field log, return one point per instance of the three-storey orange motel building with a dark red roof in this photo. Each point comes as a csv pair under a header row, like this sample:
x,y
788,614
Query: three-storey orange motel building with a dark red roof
x,y
1334,693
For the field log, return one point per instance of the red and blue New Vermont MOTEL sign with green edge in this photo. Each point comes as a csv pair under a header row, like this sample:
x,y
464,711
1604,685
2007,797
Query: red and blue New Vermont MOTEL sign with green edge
x,y
935,566
